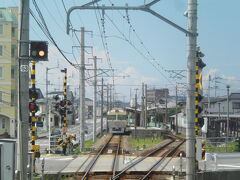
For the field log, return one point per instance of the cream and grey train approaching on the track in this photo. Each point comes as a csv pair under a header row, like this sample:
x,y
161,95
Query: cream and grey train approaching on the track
x,y
117,121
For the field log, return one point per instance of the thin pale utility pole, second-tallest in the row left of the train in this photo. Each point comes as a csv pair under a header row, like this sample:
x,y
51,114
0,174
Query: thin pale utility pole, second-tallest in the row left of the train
x,y
94,96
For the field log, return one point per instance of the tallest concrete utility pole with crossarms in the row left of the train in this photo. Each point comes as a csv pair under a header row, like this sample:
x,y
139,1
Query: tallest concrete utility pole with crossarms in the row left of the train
x,y
82,92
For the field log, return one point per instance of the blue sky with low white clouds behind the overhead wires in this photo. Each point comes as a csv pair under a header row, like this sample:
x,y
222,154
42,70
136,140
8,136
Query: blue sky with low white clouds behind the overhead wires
x,y
218,28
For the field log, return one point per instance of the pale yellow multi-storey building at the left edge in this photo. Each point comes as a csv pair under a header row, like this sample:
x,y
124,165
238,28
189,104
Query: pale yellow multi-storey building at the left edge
x,y
8,70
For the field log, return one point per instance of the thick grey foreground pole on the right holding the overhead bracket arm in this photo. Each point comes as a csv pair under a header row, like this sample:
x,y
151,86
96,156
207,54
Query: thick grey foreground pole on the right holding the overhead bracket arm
x,y
191,72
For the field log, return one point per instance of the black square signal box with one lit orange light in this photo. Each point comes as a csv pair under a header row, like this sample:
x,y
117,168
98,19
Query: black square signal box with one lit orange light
x,y
39,50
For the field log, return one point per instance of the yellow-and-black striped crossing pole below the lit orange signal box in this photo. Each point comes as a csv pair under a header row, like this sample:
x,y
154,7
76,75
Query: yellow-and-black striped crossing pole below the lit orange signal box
x,y
33,109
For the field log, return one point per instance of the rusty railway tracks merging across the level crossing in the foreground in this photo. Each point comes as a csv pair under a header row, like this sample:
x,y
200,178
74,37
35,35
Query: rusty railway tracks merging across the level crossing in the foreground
x,y
113,147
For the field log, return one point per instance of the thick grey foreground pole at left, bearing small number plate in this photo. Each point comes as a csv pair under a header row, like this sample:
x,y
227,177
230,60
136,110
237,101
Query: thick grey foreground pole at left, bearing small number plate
x,y
23,95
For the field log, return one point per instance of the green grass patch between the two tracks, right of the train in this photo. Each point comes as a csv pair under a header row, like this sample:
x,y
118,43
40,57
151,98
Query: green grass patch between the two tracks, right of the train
x,y
145,143
